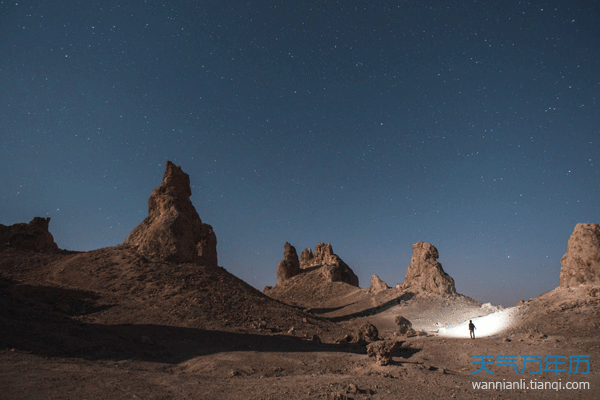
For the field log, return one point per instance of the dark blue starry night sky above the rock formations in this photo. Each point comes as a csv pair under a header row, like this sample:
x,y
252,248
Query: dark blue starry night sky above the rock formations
x,y
472,125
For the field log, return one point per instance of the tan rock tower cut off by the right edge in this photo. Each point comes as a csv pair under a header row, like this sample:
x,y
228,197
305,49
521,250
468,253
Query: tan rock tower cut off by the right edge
x,y
581,262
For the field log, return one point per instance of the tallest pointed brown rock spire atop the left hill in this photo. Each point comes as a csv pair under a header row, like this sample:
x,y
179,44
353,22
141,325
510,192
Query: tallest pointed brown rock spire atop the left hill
x,y
173,230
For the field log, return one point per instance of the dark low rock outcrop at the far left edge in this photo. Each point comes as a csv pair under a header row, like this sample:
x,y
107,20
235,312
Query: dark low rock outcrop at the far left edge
x,y
33,236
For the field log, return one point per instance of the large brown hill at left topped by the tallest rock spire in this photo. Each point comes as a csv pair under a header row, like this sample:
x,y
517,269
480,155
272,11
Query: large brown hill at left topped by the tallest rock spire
x,y
163,278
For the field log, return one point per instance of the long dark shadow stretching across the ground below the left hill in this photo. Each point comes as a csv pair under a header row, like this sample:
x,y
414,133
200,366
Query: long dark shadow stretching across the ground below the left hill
x,y
42,320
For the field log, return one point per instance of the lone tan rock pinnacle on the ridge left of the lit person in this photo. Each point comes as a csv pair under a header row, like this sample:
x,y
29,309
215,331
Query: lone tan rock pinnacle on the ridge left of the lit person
x,y
425,273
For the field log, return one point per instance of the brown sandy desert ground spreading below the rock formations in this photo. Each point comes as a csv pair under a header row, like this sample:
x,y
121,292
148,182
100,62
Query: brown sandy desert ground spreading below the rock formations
x,y
111,325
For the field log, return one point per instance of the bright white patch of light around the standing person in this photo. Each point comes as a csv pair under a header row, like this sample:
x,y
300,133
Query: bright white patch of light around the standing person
x,y
487,325
